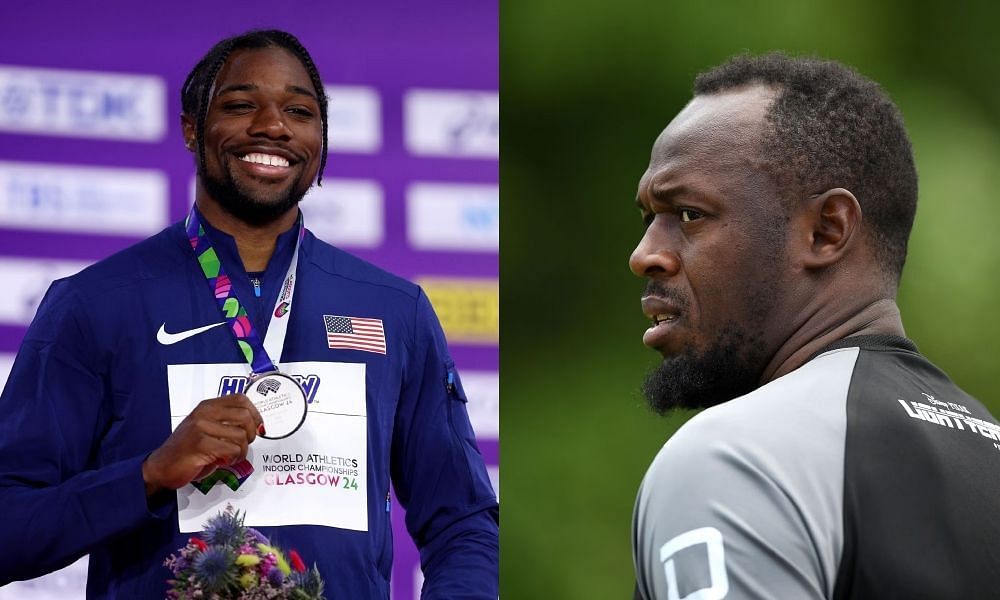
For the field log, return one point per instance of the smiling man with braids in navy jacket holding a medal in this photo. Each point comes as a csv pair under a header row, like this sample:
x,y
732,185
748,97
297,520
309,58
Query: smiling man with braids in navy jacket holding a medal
x,y
131,412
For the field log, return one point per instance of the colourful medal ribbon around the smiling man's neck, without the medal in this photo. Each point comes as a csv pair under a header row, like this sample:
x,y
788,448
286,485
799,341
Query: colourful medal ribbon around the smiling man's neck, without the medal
x,y
258,355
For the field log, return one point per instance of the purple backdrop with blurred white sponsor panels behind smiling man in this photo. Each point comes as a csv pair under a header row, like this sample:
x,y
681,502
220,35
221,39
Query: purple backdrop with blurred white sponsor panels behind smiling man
x,y
92,160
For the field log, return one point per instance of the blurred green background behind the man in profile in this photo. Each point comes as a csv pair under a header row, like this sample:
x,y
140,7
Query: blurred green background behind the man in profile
x,y
586,87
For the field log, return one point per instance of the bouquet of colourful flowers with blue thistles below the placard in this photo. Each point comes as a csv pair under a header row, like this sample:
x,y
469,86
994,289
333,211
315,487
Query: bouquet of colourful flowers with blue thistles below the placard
x,y
234,562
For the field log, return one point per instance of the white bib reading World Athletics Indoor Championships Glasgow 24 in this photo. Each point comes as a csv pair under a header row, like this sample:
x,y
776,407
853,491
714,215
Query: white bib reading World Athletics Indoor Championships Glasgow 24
x,y
318,476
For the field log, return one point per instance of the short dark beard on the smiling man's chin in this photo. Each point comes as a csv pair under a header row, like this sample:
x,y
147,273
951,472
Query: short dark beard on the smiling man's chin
x,y
242,203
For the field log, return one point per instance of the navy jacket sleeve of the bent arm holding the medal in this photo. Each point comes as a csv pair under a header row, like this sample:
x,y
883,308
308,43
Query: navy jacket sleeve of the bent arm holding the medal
x,y
57,504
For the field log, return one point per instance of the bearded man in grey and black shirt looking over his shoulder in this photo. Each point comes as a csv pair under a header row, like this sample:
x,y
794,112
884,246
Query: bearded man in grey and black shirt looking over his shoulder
x,y
833,460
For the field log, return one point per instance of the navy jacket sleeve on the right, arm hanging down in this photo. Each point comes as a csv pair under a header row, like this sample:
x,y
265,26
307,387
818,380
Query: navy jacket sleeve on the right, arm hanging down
x,y
439,475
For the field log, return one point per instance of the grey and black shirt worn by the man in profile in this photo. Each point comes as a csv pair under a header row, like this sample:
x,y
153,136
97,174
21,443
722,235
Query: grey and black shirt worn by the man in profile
x,y
865,473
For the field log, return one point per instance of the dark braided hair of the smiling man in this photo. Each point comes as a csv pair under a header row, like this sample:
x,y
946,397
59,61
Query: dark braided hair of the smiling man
x,y
195,91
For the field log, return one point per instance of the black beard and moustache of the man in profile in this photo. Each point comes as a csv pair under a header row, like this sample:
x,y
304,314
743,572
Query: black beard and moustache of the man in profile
x,y
730,366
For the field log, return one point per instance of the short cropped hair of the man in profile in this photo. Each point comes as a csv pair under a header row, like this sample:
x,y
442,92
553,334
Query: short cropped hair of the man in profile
x,y
831,127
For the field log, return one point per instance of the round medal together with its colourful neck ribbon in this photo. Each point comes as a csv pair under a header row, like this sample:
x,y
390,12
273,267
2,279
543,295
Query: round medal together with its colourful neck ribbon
x,y
279,399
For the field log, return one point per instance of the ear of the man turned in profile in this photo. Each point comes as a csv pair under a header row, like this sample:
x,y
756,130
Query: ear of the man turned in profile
x,y
832,225
